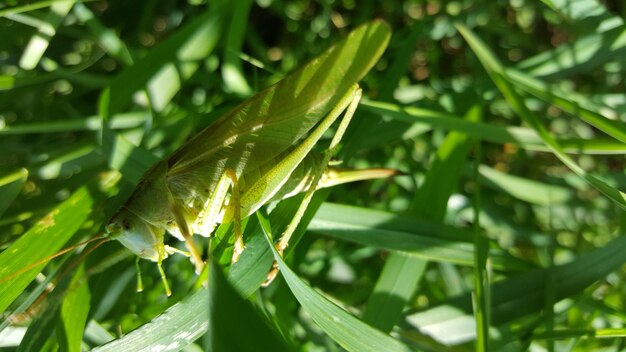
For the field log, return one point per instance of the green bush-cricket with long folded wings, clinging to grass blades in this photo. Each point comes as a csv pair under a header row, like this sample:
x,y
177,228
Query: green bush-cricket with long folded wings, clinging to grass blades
x,y
259,151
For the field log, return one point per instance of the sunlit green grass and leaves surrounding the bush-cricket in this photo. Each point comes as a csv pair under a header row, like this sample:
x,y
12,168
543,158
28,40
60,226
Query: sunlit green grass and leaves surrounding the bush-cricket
x,y
507,119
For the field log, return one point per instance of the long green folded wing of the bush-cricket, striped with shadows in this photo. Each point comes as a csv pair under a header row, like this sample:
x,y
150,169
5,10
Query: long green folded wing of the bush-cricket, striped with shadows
x,y
263,127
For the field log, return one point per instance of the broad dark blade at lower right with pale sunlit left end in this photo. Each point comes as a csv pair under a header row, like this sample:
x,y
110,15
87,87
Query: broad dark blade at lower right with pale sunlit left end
x,y
519,296
